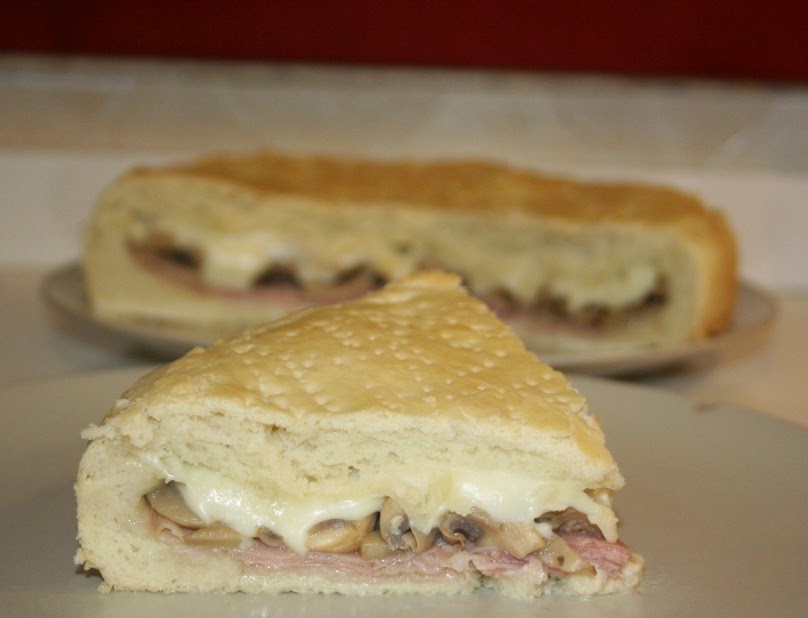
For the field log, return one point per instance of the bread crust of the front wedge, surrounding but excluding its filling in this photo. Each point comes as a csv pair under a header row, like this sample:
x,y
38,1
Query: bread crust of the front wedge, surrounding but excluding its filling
x,y
336,401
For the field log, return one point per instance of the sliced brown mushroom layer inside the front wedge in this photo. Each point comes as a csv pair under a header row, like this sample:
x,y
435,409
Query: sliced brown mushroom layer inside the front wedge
x,y
389,532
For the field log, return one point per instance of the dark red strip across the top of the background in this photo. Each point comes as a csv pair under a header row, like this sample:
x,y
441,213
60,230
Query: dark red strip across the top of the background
x,y
749,39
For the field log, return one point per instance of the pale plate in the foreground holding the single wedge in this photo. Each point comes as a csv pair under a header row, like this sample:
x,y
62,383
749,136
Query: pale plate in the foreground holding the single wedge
x,y
715,501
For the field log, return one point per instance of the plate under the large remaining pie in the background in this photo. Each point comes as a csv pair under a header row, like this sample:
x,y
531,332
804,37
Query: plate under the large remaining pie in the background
x,y
63,291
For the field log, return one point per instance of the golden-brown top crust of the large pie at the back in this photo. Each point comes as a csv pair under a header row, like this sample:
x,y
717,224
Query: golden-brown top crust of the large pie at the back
x,y
465,185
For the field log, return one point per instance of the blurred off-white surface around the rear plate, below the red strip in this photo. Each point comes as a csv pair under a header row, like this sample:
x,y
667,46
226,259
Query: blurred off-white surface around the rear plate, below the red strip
x,y
68,126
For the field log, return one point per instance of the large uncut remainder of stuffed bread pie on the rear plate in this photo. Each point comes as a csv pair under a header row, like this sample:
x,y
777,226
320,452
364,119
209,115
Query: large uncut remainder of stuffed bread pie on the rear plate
x,y
228,242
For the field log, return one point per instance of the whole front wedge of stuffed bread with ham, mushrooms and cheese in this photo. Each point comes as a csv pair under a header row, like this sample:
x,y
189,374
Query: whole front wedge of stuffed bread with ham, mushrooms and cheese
x,y
402,443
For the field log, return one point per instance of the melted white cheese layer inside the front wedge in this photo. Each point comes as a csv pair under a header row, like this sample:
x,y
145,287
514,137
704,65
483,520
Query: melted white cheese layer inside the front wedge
x,y
215,498
